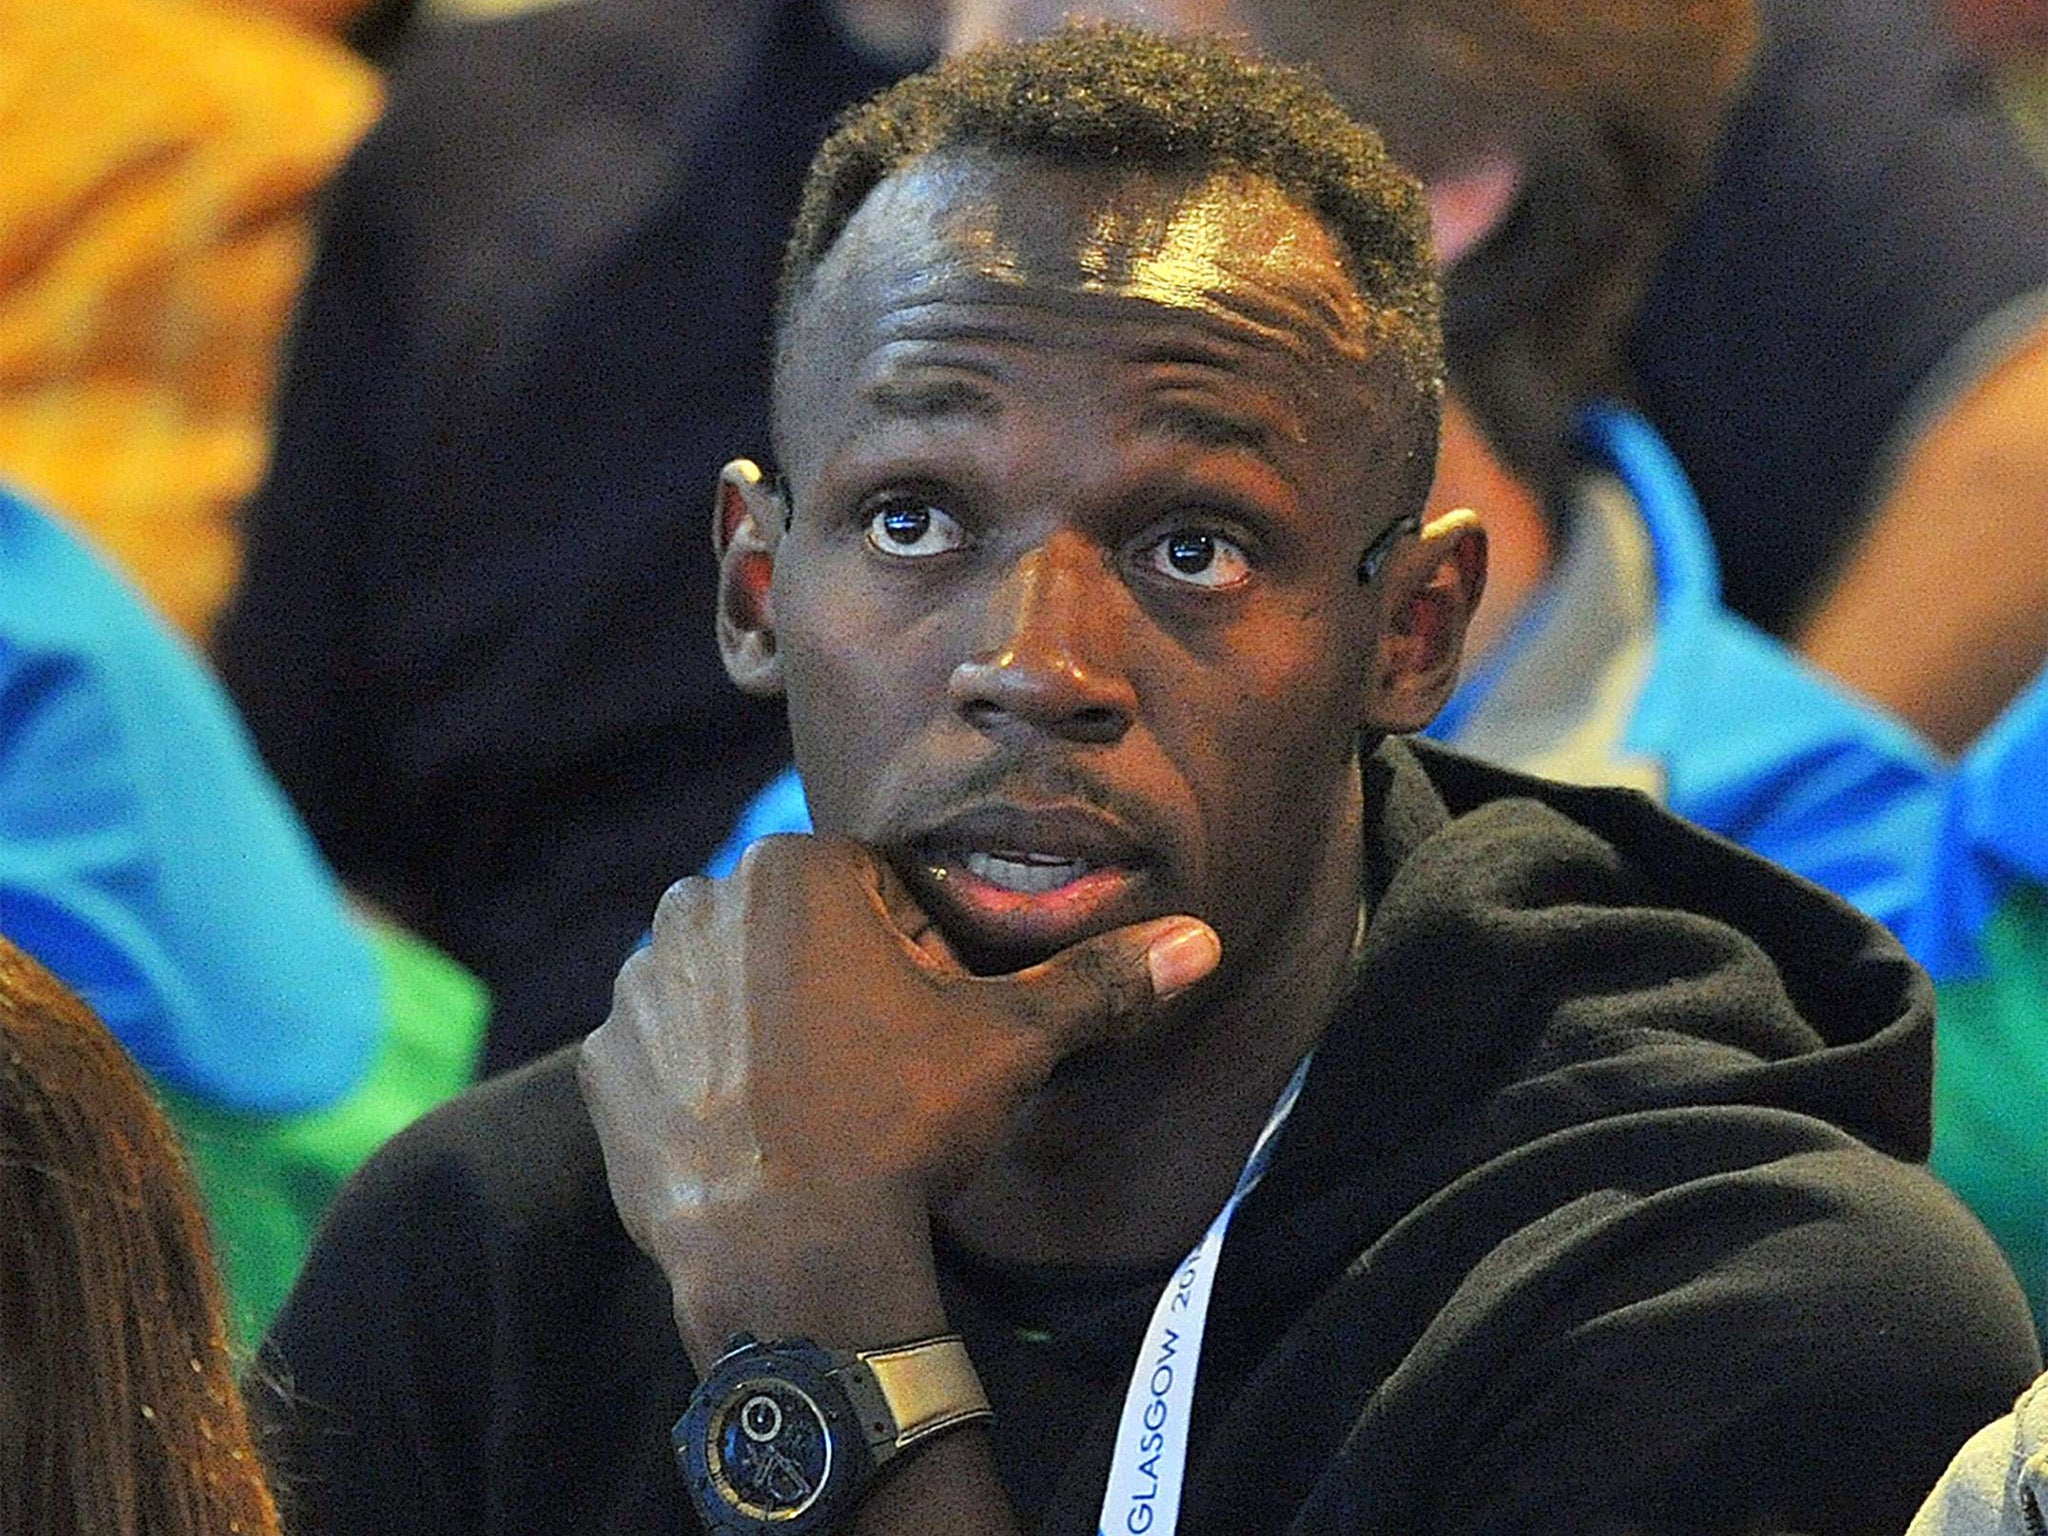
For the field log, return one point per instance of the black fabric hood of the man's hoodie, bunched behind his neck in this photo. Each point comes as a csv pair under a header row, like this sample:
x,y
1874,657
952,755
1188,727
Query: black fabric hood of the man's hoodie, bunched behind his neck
x,y
1562,955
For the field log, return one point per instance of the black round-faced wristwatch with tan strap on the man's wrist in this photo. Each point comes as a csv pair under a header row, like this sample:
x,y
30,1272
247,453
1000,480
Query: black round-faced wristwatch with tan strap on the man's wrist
x,y
787,1437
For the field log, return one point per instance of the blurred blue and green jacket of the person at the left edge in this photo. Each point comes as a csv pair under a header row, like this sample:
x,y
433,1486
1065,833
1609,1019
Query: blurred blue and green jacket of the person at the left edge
x,y
151,861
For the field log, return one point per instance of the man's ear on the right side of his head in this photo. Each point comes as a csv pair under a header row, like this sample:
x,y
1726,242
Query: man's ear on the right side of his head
x,y
1433,589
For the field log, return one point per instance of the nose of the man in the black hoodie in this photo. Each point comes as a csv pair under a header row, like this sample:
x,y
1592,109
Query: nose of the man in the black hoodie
x,y
1052,652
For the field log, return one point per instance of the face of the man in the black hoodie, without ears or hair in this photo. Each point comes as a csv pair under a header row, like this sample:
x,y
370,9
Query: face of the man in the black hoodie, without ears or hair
x,y
1068,613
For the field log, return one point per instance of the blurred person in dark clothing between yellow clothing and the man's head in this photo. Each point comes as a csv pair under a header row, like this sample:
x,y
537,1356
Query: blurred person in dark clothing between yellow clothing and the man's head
x,y
472,636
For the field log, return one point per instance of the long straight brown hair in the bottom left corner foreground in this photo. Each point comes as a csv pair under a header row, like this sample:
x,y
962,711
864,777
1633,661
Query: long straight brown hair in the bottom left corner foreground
x,y
118,1404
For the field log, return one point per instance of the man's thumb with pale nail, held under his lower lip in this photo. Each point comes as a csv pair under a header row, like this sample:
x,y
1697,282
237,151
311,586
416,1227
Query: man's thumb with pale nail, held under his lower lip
x,y
1111,984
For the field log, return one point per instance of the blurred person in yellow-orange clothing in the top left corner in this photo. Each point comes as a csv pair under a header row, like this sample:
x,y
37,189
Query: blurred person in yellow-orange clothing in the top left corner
x,y
163,161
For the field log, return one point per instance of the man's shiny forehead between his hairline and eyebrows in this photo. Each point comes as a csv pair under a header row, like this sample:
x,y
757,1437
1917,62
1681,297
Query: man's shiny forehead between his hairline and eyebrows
x,y
1211,255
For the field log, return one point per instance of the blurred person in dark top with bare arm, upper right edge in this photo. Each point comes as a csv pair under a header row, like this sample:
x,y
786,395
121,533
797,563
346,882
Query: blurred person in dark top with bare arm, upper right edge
x,y
1850,353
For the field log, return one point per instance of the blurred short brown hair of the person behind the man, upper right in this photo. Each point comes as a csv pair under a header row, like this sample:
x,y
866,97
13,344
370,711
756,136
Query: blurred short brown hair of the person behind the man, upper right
x,y
1615,110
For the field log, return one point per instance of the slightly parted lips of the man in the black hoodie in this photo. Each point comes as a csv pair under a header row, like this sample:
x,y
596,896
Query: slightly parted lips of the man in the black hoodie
x,y
1000,929
